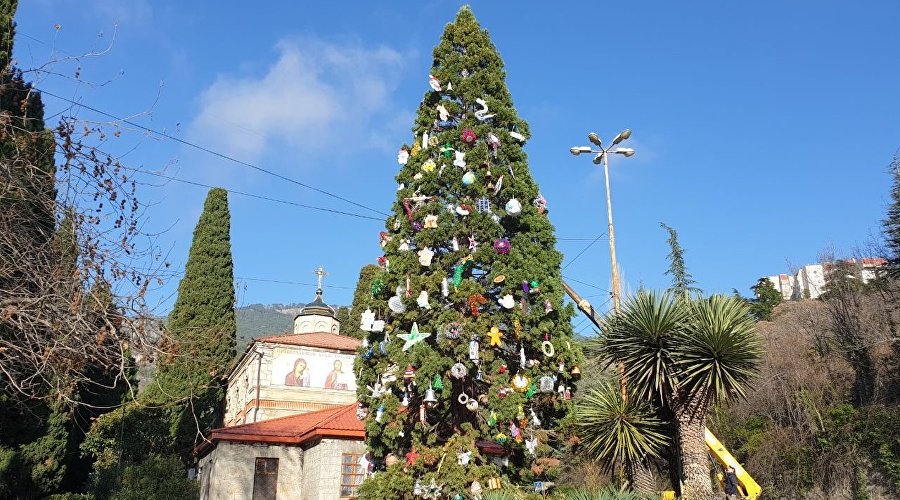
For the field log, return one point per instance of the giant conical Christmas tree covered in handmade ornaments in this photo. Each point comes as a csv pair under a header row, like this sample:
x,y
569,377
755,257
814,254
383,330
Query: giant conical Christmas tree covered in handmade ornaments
x,y
467,367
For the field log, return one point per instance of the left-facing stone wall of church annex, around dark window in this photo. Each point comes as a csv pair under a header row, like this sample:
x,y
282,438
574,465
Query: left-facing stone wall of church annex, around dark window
x,y
227,472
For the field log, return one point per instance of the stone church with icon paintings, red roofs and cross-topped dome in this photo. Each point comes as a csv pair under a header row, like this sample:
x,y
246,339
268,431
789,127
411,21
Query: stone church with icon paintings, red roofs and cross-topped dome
x,y
291,429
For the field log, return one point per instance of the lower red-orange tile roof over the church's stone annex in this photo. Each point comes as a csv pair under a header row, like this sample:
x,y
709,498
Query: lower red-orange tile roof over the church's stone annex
x,y
338,422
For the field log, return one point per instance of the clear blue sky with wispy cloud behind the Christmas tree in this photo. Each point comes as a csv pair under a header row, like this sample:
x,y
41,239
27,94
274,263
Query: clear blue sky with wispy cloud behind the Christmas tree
x,y
763,129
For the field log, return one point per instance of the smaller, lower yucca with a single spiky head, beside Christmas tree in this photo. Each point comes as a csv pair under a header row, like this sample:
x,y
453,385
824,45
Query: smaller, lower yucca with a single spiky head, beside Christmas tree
x,y
619,430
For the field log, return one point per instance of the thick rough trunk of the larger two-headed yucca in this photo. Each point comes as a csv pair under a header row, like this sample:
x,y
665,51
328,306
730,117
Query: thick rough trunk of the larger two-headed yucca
x,y
691,418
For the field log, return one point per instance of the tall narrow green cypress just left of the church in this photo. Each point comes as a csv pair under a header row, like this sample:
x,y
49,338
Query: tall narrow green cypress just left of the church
x,y
202,328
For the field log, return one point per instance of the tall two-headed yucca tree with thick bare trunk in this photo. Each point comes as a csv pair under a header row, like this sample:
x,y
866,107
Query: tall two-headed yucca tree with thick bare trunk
x,y
688,353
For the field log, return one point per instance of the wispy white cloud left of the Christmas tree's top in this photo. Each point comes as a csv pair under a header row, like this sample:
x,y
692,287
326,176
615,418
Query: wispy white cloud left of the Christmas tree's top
x,y
316,96
